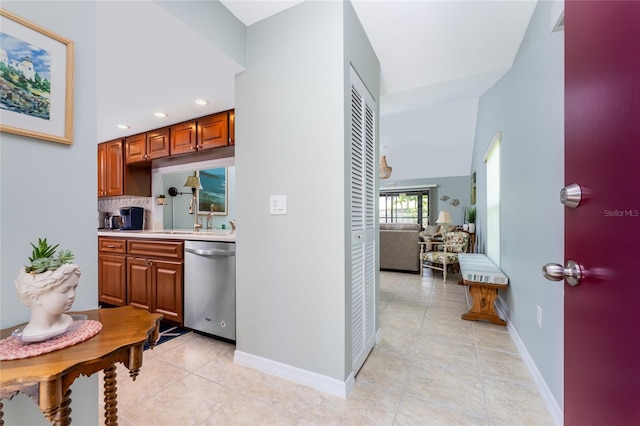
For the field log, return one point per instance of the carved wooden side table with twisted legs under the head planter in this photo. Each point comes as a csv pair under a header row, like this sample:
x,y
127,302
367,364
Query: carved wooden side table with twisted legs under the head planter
x,y
47,378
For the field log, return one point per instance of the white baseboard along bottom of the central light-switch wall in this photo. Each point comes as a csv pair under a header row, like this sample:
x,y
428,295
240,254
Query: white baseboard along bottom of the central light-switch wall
x,y
308,378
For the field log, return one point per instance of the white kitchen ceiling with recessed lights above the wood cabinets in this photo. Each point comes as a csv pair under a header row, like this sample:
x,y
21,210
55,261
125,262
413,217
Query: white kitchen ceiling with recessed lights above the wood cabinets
x,y
148,61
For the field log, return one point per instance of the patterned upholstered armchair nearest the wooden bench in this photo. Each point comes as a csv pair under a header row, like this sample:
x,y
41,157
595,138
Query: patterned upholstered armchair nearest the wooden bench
x,y
445,254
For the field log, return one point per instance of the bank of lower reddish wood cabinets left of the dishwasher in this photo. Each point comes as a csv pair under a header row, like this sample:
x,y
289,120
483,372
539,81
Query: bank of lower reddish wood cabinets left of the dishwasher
x,y
144,273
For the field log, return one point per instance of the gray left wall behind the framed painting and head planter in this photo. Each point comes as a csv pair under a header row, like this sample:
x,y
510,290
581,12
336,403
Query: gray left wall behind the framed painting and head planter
x,y
49,190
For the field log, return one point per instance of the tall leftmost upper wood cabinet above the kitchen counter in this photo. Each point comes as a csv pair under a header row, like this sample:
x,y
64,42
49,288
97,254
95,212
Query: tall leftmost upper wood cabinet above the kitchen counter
x,y
110,168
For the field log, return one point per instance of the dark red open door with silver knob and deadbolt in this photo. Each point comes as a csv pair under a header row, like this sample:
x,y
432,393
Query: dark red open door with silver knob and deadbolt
x,y
602,235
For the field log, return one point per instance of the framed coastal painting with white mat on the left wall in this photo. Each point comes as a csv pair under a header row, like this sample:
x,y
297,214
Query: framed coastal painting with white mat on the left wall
x,y
36,80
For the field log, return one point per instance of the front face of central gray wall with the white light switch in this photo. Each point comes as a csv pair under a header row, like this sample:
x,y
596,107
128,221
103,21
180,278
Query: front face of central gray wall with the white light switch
x,y
290,128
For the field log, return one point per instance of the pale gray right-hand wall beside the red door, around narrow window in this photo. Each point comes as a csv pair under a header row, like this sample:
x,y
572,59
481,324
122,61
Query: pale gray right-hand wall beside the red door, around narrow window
x,y
527,105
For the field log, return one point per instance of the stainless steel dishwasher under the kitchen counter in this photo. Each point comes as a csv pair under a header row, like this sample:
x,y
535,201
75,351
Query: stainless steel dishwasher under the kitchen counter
x,y
210,288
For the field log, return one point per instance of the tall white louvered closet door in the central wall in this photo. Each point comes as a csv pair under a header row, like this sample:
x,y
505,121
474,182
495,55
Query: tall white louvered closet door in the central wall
x,y
363,238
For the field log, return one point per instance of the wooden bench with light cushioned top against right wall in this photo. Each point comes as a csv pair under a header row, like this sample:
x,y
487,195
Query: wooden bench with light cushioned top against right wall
x,y
484,279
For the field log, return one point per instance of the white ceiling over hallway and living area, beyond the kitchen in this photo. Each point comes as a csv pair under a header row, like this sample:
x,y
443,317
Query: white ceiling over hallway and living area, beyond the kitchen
x,y
430,51
